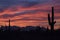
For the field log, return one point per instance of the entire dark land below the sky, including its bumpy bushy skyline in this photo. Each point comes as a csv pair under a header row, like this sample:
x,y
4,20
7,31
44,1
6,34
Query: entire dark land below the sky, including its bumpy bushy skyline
x,y
28,33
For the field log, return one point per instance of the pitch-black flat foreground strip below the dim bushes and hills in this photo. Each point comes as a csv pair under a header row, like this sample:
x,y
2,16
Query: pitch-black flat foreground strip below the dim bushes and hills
x,y
29,36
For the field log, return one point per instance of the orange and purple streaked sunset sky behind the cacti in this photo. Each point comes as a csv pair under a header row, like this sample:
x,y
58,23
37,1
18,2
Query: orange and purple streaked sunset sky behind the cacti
x,y
28,12
